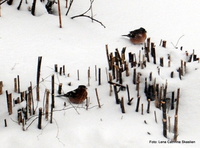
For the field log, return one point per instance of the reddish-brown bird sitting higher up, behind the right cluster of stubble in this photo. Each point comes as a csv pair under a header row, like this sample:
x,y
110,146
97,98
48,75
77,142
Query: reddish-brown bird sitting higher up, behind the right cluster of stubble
x,y
137,36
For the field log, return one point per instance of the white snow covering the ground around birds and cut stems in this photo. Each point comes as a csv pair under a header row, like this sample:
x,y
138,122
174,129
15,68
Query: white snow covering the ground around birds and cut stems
x,y
80,44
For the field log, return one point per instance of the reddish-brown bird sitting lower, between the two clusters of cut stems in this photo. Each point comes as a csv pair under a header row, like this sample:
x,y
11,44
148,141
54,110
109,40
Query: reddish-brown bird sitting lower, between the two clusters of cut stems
x,y
78,95
